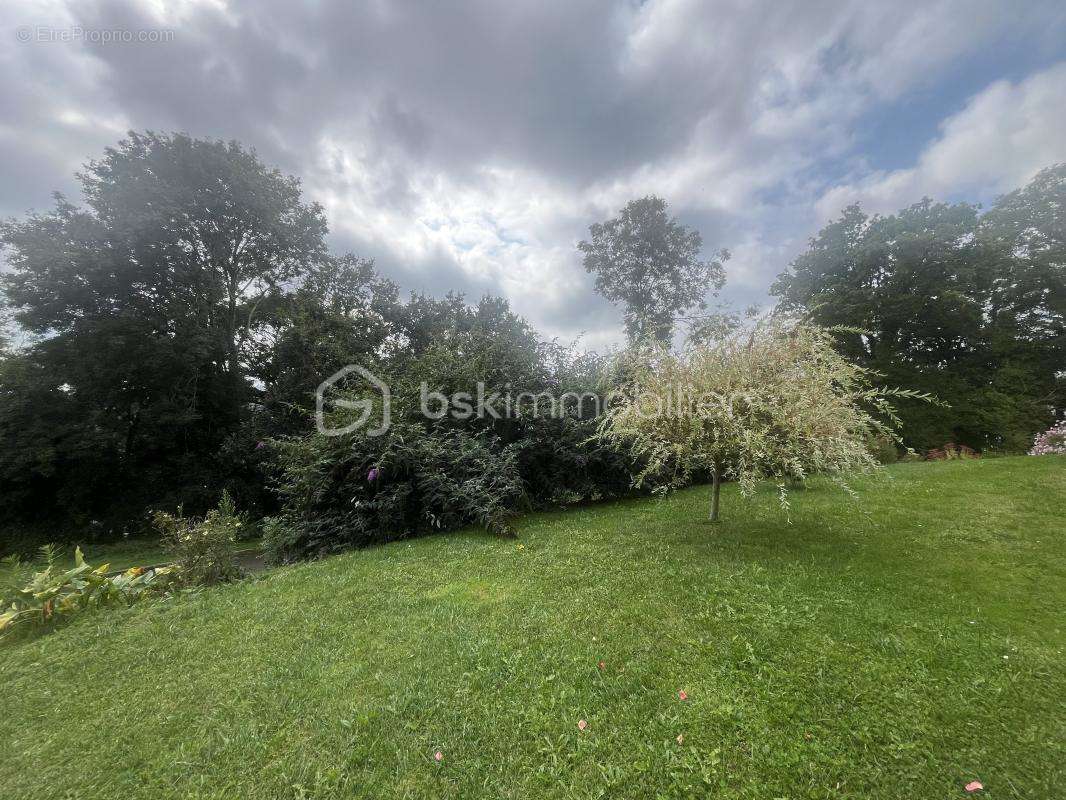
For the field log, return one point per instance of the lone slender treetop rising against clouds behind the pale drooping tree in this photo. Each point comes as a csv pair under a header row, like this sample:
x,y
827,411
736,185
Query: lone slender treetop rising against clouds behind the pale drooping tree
x,y
652,265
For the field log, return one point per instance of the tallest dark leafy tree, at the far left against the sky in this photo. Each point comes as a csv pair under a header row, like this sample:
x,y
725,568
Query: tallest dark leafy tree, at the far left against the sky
x,y
146,305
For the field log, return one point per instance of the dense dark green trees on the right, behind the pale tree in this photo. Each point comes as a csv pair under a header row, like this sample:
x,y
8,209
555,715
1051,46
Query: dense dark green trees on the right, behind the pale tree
x,y
966,306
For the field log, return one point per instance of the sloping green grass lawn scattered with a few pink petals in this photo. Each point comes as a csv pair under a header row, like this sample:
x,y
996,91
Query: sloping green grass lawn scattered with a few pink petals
x,y
896,648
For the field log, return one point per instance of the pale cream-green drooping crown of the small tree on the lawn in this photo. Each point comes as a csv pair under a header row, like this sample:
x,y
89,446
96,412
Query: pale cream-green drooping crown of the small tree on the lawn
x,y
773,404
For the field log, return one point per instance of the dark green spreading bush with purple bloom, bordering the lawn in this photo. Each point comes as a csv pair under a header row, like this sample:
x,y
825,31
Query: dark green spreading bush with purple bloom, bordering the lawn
x,y
351,491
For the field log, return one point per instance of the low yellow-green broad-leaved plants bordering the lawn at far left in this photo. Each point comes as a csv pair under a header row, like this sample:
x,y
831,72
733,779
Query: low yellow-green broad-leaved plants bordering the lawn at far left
x,y
54,596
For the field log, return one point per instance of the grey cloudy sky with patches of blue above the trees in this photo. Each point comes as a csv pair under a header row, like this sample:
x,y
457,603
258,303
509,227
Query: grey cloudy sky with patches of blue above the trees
x,y
470,146
